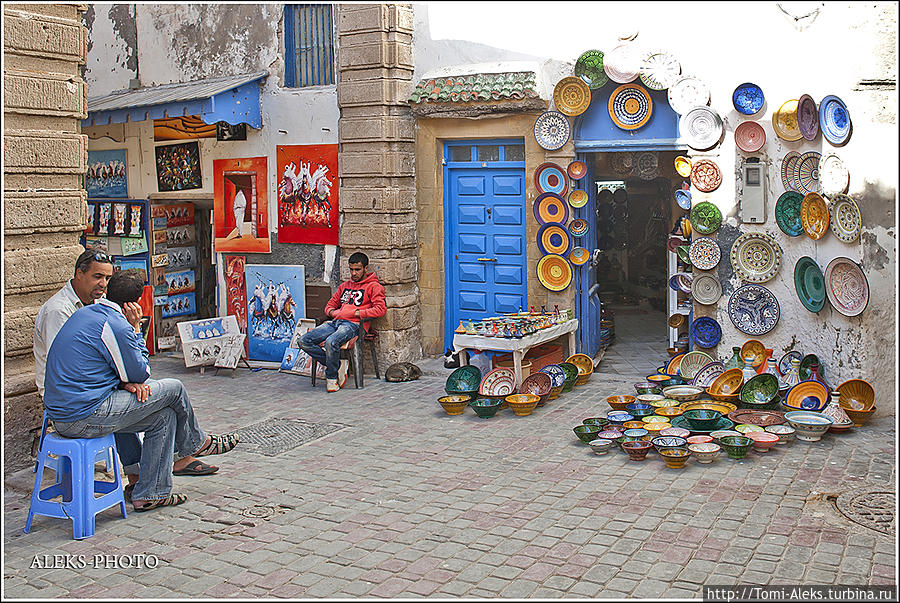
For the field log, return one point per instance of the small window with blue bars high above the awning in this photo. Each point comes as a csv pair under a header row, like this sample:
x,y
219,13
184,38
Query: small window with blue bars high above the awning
x,y
308,45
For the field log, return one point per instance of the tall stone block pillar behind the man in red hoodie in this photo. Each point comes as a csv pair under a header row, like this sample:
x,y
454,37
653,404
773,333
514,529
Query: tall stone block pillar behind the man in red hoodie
x,y
377,138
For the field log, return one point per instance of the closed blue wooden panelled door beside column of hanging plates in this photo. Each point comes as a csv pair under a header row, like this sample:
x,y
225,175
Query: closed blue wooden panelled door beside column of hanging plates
x,y
485,240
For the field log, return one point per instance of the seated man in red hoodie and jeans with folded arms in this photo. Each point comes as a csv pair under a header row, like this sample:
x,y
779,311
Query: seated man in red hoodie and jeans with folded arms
x,y
360,298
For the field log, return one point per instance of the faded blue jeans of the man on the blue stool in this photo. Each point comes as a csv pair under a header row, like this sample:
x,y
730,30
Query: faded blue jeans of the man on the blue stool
x,y
168,423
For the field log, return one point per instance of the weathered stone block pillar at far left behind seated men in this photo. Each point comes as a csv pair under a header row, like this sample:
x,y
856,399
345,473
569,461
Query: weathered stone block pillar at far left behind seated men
x,y
44,100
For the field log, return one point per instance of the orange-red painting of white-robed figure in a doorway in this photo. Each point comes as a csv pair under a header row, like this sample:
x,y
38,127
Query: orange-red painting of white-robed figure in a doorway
x,y
240,206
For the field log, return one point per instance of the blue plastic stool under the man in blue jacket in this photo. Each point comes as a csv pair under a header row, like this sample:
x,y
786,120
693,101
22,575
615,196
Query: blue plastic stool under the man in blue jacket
x,y
75,482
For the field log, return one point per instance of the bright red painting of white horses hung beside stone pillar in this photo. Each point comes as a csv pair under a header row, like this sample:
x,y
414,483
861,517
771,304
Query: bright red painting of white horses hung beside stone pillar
x,y
307,193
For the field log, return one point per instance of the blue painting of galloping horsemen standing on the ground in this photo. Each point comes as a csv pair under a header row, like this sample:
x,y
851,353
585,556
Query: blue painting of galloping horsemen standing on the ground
x,y
275,299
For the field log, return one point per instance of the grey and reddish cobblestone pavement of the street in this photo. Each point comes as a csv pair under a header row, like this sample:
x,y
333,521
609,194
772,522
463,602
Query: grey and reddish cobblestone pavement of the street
x,y
406,501
